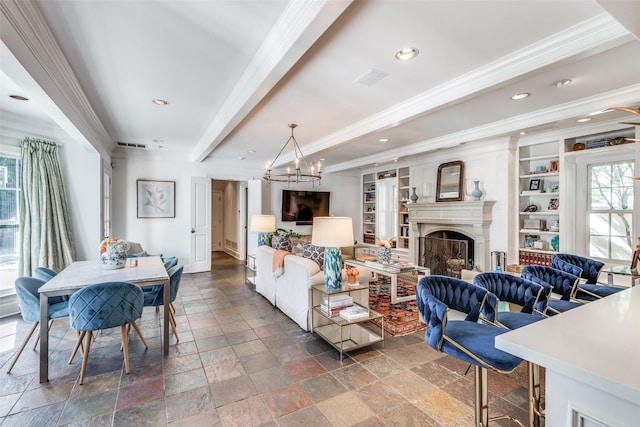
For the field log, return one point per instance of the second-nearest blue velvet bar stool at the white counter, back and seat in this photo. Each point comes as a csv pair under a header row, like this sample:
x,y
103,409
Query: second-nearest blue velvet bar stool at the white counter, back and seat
x,y
530,296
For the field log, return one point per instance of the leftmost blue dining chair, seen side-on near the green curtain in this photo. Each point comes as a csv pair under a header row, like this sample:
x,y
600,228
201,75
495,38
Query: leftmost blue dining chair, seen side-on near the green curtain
x,y
29,302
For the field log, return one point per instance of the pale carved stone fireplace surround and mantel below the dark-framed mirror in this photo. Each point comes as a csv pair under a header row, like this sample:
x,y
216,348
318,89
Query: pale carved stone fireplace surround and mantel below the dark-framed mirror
x,y
470,218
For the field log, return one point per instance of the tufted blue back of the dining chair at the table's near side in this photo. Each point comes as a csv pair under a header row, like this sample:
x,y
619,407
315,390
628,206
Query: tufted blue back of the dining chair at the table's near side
x,y
105,305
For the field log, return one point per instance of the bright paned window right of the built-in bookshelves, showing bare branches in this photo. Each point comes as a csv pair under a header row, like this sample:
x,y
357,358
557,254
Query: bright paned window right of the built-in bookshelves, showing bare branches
x,y
610,211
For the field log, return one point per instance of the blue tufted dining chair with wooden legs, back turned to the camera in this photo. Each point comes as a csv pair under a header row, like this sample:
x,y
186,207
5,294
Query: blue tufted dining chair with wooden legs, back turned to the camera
x,y
103,306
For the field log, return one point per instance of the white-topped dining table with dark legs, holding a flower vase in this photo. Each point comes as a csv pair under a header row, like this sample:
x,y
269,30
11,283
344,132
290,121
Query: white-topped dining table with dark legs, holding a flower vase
x,y
149,271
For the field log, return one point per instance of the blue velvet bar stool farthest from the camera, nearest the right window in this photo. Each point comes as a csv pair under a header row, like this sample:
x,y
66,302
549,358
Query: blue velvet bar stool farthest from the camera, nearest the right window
x,y
590,290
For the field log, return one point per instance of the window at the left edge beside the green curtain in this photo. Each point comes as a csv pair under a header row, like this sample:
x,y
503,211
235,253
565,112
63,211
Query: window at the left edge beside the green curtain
x,y
9,220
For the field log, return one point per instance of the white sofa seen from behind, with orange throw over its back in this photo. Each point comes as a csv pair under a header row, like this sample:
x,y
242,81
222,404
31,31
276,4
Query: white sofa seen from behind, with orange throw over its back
x,y
290,291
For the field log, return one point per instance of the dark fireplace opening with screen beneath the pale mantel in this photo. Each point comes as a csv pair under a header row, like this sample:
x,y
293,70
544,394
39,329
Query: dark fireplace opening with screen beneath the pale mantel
x,y
446,256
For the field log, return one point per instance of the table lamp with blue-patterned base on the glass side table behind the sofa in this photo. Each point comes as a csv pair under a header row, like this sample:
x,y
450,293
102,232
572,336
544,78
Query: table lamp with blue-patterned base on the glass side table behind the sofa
x,y
332,233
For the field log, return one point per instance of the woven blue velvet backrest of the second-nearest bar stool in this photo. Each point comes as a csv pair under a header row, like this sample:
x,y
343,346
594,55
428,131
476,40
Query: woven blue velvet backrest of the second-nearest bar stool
x,y
513,289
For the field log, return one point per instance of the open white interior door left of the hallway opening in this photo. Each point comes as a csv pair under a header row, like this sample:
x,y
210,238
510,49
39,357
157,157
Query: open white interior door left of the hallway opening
x,y
200,224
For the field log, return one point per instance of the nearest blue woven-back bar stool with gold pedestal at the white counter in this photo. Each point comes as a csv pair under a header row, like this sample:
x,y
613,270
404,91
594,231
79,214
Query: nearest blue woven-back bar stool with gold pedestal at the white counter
x,y
467,340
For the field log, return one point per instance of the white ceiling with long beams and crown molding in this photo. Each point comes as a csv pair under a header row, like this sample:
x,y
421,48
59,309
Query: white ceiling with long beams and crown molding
x,y
236,73
